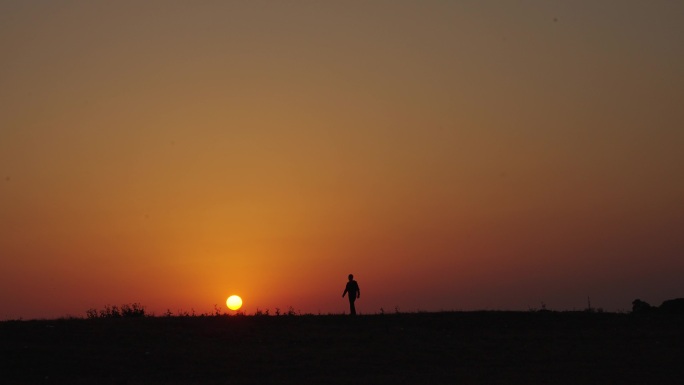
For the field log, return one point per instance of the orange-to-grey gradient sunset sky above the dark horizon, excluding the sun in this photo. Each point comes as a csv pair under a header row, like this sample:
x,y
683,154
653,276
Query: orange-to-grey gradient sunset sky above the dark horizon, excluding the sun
x,y
453,155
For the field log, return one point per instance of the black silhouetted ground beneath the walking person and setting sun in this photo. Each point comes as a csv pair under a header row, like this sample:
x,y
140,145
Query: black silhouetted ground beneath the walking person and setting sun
x,y
423,348
